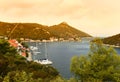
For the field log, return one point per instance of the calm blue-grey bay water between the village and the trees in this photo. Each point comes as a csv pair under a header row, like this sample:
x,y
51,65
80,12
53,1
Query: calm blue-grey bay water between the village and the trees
x,y
60,53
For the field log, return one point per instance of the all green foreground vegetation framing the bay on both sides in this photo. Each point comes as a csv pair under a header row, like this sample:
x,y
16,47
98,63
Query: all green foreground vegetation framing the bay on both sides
x,y
101,64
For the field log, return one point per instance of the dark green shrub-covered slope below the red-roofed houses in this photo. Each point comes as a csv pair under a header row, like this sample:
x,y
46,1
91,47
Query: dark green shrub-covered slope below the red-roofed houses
x,y
15,68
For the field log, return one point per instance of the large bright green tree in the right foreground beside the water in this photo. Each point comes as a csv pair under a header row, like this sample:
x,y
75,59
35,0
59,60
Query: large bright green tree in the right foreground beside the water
x,y
101,64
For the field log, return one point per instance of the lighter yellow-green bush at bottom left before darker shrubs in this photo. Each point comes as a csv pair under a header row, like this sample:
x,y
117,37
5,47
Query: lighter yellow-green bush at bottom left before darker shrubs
x,y
20,76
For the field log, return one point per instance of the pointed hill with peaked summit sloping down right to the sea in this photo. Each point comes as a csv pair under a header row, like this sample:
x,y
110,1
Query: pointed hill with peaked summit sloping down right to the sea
x,y
66,31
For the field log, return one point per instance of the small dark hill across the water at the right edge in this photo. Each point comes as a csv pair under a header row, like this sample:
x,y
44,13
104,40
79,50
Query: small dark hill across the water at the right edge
x,y
113,40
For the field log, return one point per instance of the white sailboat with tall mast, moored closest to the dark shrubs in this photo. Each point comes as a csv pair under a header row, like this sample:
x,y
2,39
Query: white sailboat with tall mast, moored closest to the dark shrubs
x,y
44,61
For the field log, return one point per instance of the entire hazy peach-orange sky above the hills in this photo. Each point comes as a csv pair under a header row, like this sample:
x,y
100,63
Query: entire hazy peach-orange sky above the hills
x,y
96,17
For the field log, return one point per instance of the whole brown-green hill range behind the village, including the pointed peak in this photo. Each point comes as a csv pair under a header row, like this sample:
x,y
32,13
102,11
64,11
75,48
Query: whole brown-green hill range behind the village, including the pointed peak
x,y
38,31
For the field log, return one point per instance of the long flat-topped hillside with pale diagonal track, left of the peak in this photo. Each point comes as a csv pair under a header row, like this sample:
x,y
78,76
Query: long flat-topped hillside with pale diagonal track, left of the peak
x,y
24,30
